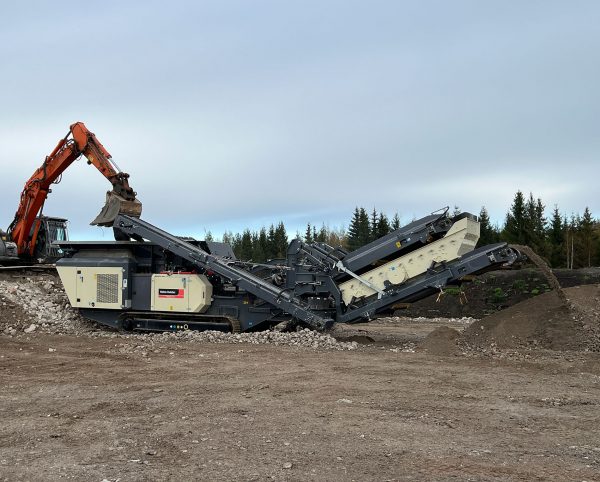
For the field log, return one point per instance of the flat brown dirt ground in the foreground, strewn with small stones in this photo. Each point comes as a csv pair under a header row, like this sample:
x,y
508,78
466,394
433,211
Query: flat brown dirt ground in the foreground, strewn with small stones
x,y
105,409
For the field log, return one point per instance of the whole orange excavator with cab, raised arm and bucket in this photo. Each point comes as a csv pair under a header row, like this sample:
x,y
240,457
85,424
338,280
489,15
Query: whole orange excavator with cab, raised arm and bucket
x,y
30,235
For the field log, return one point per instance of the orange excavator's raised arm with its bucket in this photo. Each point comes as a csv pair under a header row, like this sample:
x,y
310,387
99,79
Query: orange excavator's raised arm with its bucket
x,y
78,141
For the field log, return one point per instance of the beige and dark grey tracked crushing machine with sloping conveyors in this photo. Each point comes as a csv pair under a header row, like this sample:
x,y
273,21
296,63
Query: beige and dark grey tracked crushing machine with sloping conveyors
x,y
157,281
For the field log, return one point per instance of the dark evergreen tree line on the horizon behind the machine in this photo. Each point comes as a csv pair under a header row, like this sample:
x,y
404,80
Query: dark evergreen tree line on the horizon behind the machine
x,y
564,241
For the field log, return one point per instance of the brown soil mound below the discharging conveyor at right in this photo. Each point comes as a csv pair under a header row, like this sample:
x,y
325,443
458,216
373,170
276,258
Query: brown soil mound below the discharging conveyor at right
x,y
547,321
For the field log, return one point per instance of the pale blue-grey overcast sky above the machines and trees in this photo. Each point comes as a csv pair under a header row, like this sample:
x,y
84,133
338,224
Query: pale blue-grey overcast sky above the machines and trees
x,y
235,114
